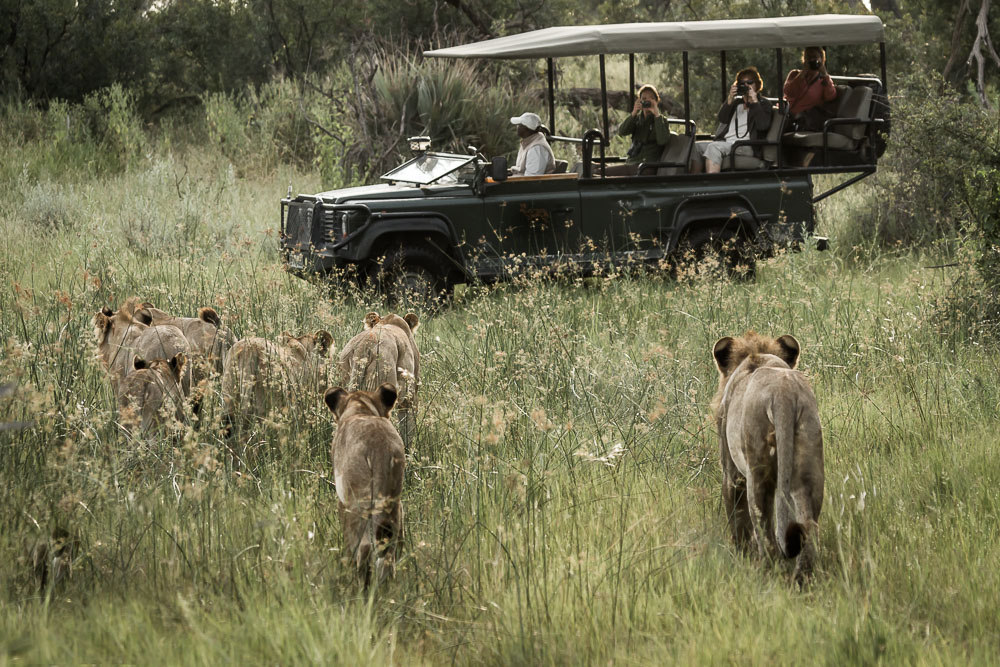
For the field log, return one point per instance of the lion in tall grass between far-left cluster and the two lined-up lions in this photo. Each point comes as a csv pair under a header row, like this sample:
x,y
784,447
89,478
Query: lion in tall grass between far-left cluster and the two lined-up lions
x,y
260,375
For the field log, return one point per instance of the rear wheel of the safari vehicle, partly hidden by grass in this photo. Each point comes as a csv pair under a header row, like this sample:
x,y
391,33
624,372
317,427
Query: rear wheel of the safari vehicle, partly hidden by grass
x,y
714,254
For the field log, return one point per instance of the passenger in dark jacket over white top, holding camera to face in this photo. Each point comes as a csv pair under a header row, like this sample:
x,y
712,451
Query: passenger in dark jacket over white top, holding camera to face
x,y
744,116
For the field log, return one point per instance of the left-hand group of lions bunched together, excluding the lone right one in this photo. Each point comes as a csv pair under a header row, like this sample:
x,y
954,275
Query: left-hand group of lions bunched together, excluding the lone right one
x,y
161,368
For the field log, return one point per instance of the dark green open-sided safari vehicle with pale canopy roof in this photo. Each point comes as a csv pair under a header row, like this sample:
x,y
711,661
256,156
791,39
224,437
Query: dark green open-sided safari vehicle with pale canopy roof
x,y
443,218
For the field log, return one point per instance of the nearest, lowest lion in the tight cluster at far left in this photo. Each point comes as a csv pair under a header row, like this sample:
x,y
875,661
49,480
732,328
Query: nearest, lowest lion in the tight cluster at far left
x,y
151,395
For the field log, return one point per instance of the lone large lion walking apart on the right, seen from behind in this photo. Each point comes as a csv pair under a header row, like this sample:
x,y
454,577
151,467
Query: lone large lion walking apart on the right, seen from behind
x,y
771,447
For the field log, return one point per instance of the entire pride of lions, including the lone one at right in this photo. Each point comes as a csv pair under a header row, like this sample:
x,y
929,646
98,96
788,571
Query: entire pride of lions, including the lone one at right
x,y
770,440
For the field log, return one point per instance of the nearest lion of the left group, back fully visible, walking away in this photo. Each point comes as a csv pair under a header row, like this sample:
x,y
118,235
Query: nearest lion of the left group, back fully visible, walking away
x,y
368,463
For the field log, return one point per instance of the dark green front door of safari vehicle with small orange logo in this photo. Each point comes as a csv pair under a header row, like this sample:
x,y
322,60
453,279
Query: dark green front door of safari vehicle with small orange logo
x,y
535,217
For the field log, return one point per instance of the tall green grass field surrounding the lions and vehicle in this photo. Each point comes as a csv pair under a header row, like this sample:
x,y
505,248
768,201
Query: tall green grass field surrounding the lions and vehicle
x,y
562,493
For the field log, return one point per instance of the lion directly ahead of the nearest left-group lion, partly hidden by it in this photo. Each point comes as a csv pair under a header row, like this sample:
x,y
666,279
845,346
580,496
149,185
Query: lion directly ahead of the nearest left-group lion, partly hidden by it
x,y
385,351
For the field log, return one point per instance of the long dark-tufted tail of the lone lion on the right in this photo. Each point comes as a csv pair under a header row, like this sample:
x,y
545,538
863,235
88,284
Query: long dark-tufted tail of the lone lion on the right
x,y
790,533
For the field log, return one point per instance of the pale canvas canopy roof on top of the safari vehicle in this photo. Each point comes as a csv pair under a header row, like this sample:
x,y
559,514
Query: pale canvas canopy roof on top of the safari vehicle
x,y
728,35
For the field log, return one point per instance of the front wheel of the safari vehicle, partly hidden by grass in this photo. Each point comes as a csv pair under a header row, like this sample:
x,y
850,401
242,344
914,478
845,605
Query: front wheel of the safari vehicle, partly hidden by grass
x,y
412,275
